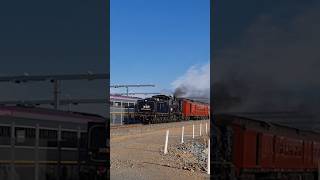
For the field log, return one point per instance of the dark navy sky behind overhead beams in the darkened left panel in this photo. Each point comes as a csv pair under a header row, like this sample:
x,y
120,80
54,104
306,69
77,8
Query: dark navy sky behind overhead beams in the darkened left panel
x,y
54,37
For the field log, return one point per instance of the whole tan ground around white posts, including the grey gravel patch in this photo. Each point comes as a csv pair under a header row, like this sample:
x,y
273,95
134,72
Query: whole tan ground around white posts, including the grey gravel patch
x,y
138,153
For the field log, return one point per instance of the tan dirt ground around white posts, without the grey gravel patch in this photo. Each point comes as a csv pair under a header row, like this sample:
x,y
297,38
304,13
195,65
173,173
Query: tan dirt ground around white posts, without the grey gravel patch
x,y
140,156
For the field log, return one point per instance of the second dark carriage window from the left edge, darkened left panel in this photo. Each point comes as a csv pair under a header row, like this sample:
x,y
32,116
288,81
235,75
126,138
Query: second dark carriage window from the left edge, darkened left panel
x,y
25,136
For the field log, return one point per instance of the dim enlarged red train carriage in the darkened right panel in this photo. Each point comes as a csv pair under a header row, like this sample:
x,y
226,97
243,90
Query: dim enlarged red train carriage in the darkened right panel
x,y
253,149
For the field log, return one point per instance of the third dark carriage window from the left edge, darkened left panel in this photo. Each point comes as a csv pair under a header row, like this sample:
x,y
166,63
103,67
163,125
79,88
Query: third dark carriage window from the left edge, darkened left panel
x,y
48,138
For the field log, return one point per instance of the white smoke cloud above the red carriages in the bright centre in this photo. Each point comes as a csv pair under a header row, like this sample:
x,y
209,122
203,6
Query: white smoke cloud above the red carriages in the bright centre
x,y
194,83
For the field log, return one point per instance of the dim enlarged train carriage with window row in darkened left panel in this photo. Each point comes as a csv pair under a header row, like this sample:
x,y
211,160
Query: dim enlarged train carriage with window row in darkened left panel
x,y
45,144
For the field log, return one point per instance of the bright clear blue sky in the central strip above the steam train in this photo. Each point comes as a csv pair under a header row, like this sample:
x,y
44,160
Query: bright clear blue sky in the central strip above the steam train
x,y
156,41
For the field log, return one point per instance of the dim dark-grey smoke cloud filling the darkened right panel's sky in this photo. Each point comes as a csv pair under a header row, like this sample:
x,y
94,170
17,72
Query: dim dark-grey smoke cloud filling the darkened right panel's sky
x,y
275,66
